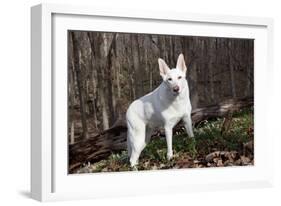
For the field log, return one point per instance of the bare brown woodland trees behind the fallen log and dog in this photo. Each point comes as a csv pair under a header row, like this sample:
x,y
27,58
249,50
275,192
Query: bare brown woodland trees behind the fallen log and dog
x,y
107,71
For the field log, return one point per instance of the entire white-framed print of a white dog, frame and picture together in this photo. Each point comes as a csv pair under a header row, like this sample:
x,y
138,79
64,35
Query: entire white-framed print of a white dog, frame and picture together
x,y
135,102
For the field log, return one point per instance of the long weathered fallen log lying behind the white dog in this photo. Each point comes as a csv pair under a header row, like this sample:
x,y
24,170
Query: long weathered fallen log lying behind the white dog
x,y
98,147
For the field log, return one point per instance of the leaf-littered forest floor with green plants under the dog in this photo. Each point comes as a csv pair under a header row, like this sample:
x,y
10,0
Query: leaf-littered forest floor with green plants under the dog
x,y
210,148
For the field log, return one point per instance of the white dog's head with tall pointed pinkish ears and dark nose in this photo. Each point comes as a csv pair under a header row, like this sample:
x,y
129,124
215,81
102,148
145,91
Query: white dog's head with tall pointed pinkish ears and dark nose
x,y
175,78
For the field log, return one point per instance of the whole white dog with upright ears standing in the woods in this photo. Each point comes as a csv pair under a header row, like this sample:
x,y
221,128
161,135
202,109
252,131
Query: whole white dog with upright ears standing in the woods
x,y
164,107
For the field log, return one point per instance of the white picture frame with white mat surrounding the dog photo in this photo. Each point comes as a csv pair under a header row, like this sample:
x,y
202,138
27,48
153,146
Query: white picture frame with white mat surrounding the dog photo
x,y
49,178
